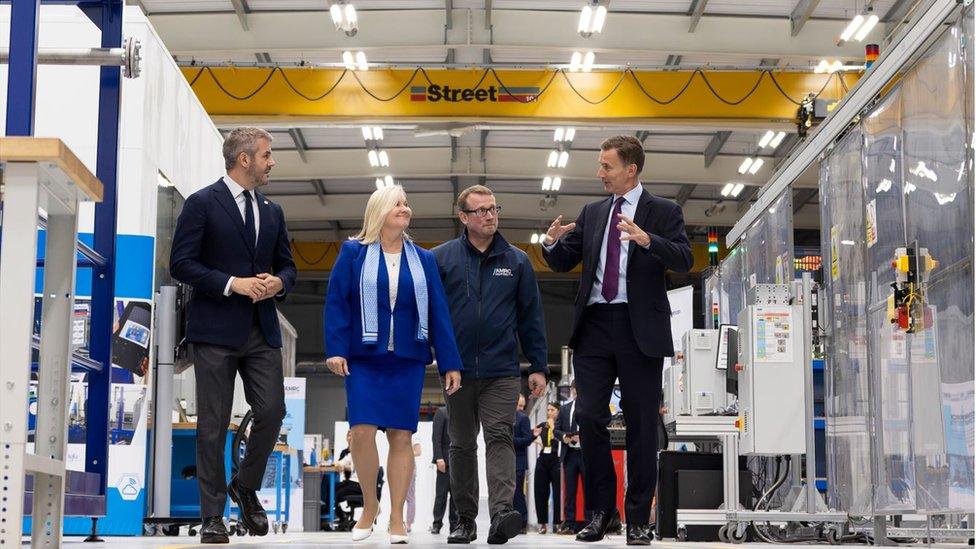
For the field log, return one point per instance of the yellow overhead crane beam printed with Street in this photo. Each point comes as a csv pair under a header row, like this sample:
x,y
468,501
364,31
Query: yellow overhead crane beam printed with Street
x,y
299,95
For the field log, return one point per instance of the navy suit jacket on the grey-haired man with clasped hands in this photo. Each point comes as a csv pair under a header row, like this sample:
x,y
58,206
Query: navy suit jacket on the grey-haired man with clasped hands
x,y
210,246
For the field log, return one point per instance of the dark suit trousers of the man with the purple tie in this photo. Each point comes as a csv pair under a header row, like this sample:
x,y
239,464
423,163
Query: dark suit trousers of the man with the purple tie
x,y
606,350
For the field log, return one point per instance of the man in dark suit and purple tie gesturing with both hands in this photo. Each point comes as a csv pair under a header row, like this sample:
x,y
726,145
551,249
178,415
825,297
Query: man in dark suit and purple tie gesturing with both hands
x,y
621,327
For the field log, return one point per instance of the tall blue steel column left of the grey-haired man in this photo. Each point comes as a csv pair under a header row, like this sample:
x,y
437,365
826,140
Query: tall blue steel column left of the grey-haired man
x,y
108,17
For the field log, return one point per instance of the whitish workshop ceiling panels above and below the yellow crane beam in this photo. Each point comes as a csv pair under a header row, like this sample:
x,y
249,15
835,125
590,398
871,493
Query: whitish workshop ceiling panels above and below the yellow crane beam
x,y
323,178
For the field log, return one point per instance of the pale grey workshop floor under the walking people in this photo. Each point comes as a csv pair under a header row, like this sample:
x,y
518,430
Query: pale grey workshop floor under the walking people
x,y
299,540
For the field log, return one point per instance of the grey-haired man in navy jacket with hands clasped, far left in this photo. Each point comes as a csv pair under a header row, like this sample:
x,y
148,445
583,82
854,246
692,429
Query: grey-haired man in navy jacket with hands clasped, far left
x,y
232,248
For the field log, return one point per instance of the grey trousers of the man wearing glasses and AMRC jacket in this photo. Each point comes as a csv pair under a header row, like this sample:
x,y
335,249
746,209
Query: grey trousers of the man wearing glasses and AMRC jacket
x,y
490,405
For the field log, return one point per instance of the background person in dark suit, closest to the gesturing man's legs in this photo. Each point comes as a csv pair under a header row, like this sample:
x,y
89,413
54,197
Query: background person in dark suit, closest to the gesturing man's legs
x,y
571,459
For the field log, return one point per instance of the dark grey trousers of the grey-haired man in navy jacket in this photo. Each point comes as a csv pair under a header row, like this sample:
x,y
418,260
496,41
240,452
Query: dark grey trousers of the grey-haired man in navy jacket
x,y
215,368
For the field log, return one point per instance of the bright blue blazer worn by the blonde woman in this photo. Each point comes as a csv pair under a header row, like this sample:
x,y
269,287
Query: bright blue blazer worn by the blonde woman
x,y
343,319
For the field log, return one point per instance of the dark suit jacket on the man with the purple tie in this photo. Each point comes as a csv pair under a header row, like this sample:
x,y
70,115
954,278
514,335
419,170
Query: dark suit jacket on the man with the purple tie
x,y
647,300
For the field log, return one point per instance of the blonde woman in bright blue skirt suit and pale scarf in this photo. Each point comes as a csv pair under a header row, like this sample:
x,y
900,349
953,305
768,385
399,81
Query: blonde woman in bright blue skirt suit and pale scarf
x,y
384,312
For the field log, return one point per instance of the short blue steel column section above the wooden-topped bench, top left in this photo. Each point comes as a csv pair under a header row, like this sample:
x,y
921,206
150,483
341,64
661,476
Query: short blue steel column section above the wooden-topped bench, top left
x,y
22,66
